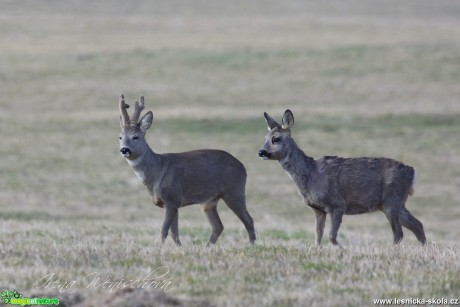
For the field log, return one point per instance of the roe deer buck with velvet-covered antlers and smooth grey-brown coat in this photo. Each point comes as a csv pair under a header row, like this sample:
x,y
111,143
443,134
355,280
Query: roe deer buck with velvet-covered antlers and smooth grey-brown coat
x,y
176,180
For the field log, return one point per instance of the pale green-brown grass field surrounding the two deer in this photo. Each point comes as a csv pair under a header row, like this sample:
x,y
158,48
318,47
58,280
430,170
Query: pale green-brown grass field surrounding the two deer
x,y
363,78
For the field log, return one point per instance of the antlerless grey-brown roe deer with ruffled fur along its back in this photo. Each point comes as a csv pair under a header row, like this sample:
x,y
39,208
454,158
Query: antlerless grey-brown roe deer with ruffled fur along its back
x,y
341,186
